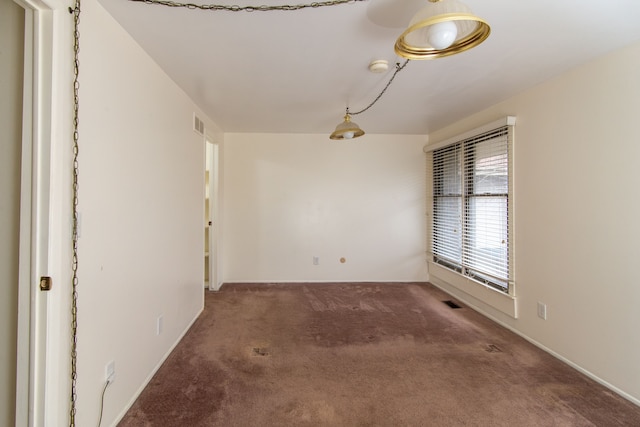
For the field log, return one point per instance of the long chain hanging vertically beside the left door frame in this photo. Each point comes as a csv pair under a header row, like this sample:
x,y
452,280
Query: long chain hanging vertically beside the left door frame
x,y
75,11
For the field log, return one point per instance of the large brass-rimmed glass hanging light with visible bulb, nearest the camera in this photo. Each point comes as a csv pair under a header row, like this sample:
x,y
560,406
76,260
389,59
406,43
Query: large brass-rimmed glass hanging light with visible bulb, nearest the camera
x,y
442,28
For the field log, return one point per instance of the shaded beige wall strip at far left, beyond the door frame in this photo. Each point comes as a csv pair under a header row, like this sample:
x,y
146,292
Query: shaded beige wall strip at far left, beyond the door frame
x,y
11,62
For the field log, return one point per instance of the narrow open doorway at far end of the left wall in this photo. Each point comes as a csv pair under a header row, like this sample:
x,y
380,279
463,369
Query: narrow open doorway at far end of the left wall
x,y
211,217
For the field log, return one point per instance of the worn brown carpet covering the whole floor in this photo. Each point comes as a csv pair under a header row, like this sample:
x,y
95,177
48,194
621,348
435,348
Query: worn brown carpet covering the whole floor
x,y
365,354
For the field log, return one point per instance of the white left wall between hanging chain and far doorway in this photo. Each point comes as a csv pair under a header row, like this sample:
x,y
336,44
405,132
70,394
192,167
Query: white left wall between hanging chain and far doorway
x,y
142,215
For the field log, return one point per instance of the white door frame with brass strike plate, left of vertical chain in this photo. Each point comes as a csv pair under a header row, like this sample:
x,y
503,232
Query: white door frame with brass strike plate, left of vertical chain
x,y
34,249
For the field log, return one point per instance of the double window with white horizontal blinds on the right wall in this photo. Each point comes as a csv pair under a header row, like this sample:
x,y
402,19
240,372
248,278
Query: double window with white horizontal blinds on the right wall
x,y
471,204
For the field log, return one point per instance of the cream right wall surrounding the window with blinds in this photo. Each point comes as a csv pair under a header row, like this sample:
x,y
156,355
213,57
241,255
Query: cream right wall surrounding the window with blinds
x,y
576,215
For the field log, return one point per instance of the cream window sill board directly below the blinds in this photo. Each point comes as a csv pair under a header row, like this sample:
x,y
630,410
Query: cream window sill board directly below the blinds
x,y
453,282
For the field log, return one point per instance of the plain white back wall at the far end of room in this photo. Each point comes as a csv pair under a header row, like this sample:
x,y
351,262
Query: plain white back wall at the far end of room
x,y
291,197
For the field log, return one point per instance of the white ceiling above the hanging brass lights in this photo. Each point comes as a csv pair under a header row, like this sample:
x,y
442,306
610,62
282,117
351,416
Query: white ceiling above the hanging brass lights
x,y
296,71
